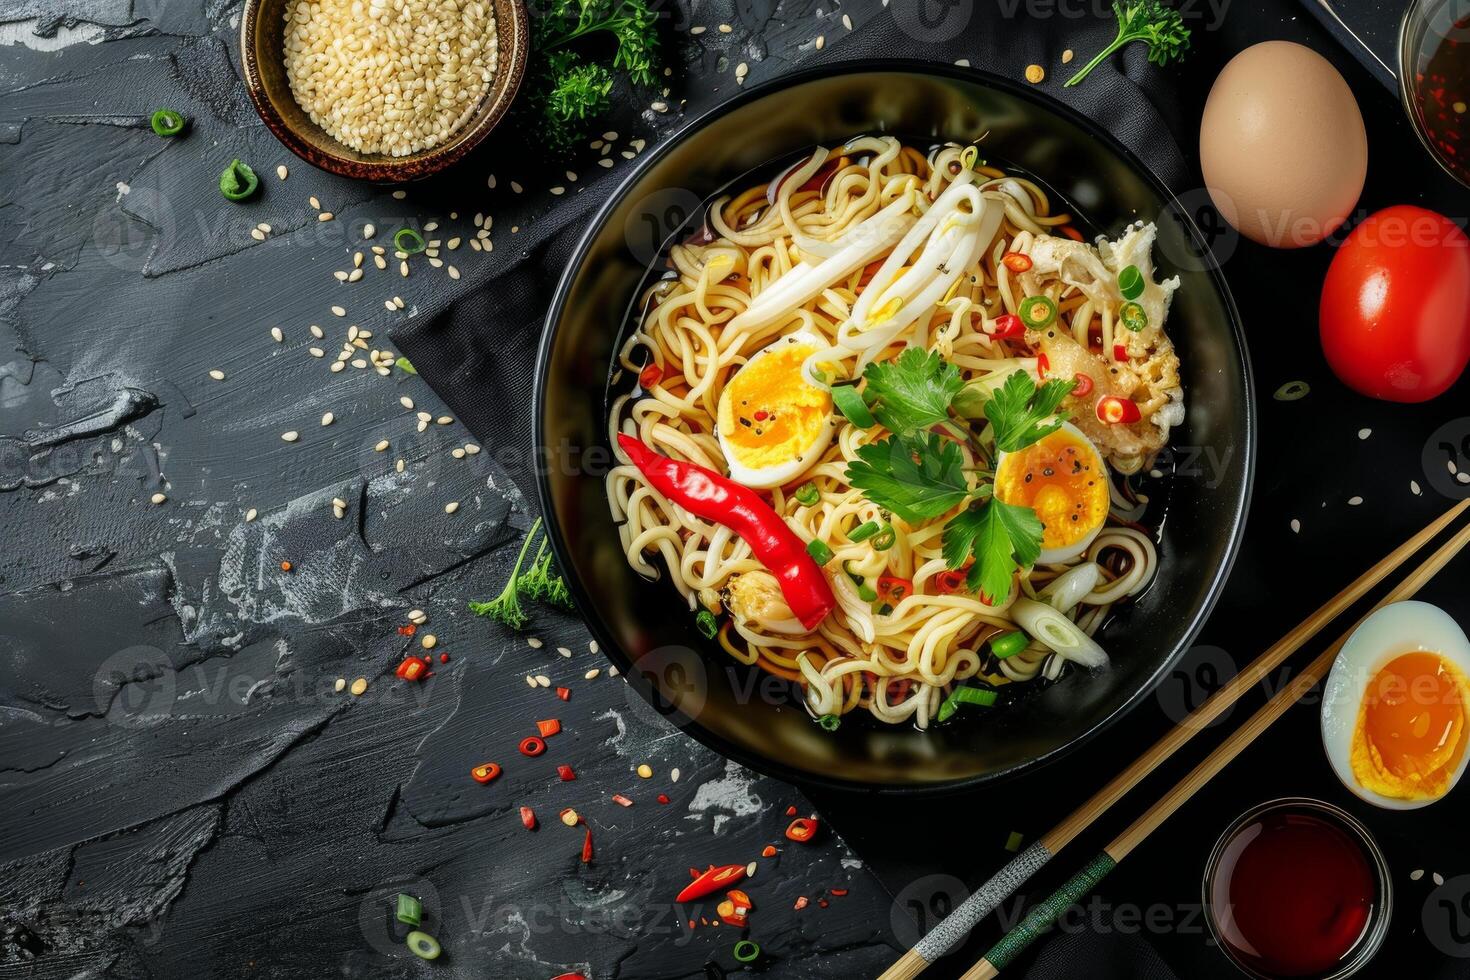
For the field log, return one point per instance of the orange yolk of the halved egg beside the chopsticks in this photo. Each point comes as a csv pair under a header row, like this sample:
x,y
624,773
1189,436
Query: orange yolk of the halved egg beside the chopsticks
x,y
1410,732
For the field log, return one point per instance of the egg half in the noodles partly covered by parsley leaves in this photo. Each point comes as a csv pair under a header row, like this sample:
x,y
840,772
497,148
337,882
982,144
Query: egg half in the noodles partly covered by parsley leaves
x,y
1061,477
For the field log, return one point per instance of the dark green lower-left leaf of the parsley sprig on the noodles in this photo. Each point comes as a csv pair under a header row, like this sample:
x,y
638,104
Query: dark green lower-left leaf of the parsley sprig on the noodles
x,y
918,477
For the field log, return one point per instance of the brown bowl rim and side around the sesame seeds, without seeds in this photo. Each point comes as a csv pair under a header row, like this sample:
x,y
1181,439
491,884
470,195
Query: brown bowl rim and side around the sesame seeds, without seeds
x,y
262,55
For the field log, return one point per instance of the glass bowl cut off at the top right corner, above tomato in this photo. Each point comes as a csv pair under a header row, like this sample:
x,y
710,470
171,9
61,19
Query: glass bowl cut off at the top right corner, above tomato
x,y
1434,80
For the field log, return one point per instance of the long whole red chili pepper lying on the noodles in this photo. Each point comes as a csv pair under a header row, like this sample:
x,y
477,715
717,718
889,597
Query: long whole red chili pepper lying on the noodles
x,y
709,496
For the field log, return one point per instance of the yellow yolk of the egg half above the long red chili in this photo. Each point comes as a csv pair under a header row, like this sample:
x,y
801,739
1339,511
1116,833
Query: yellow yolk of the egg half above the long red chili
x,y
768,414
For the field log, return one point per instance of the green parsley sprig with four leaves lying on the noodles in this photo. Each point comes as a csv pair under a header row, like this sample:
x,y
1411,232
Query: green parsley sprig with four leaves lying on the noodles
x,y
919,474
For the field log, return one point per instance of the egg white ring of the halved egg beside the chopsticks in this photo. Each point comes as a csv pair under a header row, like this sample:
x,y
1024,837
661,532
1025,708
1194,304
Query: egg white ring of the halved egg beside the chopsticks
x,y
1397,630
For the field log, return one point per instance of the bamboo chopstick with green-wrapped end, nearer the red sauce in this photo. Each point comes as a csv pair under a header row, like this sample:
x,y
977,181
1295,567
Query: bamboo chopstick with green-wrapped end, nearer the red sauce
x,y
1044,915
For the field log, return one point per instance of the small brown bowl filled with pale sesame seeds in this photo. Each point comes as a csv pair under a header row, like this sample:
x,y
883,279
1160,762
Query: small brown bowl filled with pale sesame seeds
x,y
383,90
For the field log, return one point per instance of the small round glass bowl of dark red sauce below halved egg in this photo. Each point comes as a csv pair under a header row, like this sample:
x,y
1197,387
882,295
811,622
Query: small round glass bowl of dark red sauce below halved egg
x,y
1297,888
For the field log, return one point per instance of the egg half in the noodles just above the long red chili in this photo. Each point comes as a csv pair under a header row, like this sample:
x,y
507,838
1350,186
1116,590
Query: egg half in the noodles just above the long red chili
x,y
772,422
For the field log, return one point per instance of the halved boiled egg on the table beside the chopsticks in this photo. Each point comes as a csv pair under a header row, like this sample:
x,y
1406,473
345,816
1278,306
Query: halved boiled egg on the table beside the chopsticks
x,y
1396,707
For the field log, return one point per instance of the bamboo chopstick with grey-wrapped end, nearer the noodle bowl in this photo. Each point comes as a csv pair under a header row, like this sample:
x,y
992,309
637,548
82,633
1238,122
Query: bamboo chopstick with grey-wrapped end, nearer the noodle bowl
x,y
952,931
